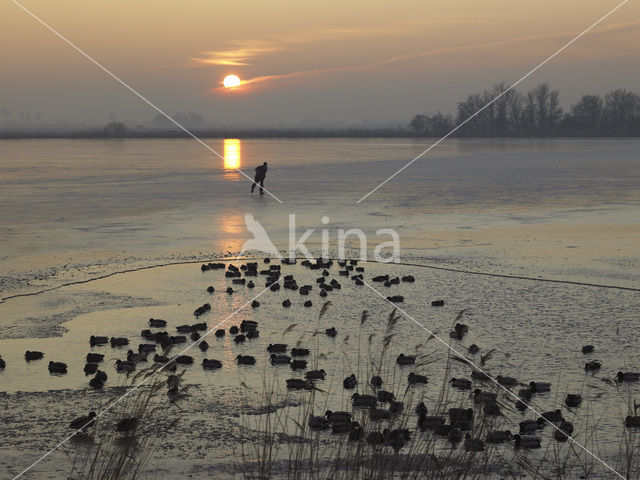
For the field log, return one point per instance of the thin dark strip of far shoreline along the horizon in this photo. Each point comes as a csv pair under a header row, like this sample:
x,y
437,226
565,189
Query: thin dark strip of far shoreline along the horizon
x,y
283,133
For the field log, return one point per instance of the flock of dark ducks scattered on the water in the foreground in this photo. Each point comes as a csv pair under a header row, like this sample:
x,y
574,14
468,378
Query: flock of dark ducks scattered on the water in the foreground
x,y
380,405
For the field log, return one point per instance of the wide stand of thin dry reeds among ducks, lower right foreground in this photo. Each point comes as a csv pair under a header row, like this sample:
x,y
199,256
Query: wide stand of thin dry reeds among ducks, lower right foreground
x,y
288,448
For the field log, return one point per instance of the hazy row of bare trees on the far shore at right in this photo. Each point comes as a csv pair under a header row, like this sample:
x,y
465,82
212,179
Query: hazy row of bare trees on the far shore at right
x,y
536,113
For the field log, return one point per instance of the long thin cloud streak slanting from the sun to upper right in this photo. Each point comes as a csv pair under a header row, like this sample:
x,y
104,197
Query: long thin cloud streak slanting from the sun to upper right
x,y
605,30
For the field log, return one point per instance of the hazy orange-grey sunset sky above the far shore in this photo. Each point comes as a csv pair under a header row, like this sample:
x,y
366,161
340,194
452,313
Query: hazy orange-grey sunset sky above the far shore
x,y
329,63
